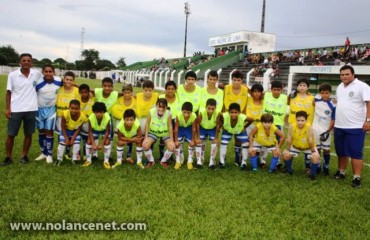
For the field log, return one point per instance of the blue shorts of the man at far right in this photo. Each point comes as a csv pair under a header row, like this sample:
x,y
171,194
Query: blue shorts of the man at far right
x,y
349,142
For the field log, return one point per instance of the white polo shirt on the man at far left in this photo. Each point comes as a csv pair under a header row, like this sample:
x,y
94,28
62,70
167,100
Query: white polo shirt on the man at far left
x,y
23,97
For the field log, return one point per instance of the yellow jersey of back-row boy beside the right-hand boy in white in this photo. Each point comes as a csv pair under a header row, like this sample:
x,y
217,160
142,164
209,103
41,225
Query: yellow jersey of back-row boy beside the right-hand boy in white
x,y
302,104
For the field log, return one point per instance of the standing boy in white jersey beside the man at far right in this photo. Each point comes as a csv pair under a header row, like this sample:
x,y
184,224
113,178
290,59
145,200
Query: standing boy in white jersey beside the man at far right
x,y
323,123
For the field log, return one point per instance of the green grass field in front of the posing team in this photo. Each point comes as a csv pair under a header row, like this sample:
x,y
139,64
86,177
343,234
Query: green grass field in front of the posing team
x,y
198,204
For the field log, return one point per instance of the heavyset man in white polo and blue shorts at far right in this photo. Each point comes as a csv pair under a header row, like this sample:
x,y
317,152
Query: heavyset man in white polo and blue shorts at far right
x,y
352,120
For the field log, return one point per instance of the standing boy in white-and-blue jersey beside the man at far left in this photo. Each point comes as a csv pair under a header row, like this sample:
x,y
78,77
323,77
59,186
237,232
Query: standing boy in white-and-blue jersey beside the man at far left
x,y
47,88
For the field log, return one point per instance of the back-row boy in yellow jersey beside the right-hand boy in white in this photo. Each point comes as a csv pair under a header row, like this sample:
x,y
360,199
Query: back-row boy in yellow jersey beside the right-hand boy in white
x,y
301,100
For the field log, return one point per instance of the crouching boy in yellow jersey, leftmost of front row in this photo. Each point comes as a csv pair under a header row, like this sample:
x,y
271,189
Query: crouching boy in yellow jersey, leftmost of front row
x,y
71,124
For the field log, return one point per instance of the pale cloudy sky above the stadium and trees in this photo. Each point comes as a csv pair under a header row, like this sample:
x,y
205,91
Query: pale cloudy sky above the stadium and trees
x,y
141,30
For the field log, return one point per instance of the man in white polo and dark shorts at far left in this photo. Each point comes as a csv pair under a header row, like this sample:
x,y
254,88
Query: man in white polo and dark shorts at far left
x,y
21,106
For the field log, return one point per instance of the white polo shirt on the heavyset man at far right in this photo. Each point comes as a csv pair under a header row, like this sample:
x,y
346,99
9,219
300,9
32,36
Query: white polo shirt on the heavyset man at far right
x,y
351,104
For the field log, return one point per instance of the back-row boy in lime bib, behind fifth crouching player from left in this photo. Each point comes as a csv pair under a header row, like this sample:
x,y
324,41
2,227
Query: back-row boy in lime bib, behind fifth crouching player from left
x,y
190,92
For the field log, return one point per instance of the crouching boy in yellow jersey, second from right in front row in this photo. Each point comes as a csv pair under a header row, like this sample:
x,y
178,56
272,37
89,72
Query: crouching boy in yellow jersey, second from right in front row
x,y
263,136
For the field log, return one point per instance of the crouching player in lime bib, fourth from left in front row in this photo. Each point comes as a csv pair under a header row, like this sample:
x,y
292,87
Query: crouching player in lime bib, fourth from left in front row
x,y
158,125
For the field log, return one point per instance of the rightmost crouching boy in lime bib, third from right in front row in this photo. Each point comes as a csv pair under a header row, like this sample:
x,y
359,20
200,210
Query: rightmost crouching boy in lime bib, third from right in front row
x,y
234,124
